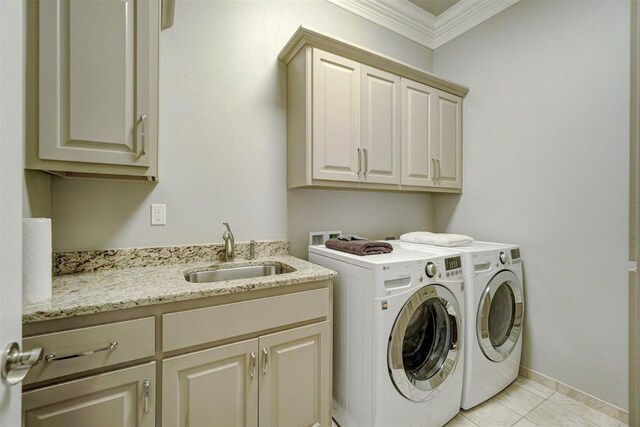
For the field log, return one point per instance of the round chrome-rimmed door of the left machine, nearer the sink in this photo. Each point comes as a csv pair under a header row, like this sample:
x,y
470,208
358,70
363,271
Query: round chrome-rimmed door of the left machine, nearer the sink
x,y
423,346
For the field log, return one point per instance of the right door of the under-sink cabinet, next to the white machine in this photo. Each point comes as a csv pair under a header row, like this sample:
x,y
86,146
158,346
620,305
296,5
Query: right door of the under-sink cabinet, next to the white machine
x,y
295,373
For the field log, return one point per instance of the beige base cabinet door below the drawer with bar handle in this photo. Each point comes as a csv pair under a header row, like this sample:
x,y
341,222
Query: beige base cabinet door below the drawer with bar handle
x,y
120,398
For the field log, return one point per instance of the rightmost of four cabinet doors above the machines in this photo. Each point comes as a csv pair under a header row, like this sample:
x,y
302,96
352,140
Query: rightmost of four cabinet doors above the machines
x,y
449,130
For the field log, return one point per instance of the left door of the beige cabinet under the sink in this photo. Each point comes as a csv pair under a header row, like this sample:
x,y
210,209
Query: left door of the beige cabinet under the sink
x,y
215,387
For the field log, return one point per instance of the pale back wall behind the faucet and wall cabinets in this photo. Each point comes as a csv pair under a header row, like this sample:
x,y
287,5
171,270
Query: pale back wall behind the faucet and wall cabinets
x,y
222,138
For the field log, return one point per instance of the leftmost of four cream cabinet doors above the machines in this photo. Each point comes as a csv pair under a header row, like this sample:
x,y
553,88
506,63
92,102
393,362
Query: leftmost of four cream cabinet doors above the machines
x,y
336,117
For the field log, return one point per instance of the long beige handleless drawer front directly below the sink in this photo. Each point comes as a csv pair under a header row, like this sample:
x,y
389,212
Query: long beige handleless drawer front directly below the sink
x,y
193,327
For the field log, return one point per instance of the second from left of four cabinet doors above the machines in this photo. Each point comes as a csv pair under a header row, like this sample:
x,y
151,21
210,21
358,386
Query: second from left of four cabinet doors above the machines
x,y
380,126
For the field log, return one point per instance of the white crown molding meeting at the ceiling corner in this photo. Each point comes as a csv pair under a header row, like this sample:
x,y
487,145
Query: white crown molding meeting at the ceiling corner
x,y
416,24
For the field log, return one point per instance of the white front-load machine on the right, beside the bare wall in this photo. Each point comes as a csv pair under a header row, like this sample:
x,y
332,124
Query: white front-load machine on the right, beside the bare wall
x,y
494,298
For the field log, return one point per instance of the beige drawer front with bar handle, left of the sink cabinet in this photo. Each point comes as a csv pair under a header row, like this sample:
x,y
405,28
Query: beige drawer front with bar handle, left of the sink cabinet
x,y
135,338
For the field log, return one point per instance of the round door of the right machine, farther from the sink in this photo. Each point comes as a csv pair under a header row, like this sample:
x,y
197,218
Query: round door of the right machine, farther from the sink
x,y
500,314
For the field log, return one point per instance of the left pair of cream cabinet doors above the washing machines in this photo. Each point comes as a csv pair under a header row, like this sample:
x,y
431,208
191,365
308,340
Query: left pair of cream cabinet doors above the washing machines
x,y
356,129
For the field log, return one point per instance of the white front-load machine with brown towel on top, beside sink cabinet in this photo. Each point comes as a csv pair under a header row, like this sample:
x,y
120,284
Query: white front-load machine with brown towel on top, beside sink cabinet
x,y
398,334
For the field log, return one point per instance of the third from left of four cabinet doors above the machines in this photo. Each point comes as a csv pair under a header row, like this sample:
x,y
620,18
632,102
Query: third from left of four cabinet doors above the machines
x,y
419,153
